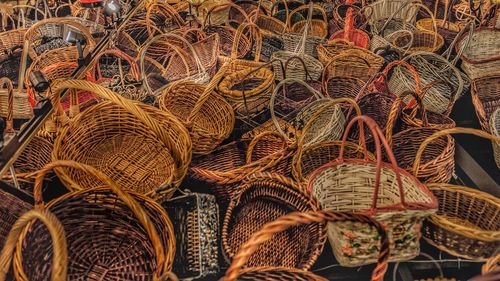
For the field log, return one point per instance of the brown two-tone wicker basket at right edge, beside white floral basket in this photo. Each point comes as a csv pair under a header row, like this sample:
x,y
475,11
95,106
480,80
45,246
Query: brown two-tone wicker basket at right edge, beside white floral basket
x,y
466,224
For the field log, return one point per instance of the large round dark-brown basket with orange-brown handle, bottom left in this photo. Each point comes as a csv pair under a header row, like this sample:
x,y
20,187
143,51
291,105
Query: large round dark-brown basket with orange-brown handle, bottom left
x,y
131,228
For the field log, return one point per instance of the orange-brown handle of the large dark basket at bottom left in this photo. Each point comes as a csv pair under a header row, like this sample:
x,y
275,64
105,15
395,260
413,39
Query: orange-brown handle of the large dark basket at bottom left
x,y
127,199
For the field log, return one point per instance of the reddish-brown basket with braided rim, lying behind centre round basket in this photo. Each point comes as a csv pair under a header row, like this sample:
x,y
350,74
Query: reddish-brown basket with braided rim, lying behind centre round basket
x,y
224,169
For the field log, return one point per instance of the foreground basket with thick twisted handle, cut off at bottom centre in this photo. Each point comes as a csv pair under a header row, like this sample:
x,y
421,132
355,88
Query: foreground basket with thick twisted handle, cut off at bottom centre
x,y
273,230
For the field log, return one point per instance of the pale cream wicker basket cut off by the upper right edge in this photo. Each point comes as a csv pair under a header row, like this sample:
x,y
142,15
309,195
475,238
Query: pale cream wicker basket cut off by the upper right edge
x,y
479,52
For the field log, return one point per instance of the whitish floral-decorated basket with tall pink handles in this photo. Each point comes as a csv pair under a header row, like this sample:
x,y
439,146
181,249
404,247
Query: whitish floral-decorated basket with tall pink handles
x,y
379,189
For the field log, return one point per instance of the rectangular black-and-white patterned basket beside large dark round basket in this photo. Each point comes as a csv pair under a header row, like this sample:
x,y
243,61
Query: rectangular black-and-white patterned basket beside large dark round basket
x,y
196,217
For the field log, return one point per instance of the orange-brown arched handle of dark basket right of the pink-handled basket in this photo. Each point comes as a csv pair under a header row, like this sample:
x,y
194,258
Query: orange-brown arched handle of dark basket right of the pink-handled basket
x,y
396,109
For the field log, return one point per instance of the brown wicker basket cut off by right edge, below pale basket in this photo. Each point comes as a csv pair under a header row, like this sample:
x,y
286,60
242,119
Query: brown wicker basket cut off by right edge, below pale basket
x,y
485,98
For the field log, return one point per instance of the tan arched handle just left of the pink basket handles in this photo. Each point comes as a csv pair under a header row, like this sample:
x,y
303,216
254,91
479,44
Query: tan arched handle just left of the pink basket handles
x,y
318,113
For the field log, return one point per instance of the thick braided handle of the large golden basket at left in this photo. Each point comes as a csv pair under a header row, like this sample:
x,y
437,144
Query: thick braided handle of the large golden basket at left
x,y
181,158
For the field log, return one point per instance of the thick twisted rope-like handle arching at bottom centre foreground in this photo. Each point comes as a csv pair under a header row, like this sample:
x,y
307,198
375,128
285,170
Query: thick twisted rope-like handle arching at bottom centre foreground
x,y
297,218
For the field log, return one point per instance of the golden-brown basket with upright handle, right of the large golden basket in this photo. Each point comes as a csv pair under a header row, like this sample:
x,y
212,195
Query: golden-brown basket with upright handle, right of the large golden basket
x,y
207,116
